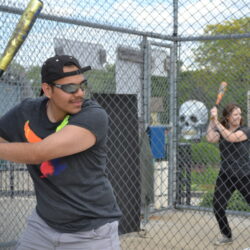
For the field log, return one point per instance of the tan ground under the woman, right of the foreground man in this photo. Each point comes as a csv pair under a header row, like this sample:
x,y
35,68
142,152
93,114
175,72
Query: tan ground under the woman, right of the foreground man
x,y
182,230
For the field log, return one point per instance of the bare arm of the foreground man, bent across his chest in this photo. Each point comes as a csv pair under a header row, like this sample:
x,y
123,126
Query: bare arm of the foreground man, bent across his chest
x,y
70,140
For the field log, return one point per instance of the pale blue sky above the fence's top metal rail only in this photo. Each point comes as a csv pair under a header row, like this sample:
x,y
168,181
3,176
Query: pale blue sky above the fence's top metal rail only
x,y
153,16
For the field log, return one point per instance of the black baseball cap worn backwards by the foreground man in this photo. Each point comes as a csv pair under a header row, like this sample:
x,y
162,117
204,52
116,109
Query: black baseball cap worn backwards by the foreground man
x,y
52,68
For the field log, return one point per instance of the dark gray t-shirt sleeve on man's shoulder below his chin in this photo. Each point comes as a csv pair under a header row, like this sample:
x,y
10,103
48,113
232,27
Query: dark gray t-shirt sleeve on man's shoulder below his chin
x,y
94,119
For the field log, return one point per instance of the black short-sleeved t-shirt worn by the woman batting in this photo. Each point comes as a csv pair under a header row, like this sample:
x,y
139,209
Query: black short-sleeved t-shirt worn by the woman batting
x,y
235,155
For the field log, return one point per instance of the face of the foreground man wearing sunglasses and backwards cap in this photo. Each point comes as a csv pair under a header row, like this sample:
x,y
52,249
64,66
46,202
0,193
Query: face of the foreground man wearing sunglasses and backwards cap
x,y
64,102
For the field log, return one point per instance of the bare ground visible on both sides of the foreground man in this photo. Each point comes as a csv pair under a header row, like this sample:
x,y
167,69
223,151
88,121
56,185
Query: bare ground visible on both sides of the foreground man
x,y
169,230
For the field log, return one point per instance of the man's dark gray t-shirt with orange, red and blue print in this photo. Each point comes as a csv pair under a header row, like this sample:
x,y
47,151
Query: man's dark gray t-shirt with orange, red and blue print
x,y
73,193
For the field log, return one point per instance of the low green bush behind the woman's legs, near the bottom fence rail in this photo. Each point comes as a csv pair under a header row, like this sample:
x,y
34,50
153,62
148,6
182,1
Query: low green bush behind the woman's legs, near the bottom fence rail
x,y
237,202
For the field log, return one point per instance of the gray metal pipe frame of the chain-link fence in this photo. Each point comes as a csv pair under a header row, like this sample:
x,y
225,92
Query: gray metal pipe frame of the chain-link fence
x,y
172,43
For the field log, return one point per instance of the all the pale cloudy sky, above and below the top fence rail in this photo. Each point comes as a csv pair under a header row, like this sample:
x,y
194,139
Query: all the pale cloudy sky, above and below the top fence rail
x,y
140,15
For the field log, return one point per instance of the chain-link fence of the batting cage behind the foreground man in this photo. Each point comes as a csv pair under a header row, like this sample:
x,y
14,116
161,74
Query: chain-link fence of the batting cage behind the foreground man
x,y
157,66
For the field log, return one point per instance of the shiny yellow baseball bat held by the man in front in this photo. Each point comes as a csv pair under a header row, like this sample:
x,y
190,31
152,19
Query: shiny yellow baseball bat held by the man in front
x,y
20,33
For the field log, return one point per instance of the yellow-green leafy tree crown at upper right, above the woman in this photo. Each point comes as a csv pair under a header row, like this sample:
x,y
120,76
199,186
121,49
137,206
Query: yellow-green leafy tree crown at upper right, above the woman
x,y
226,55
